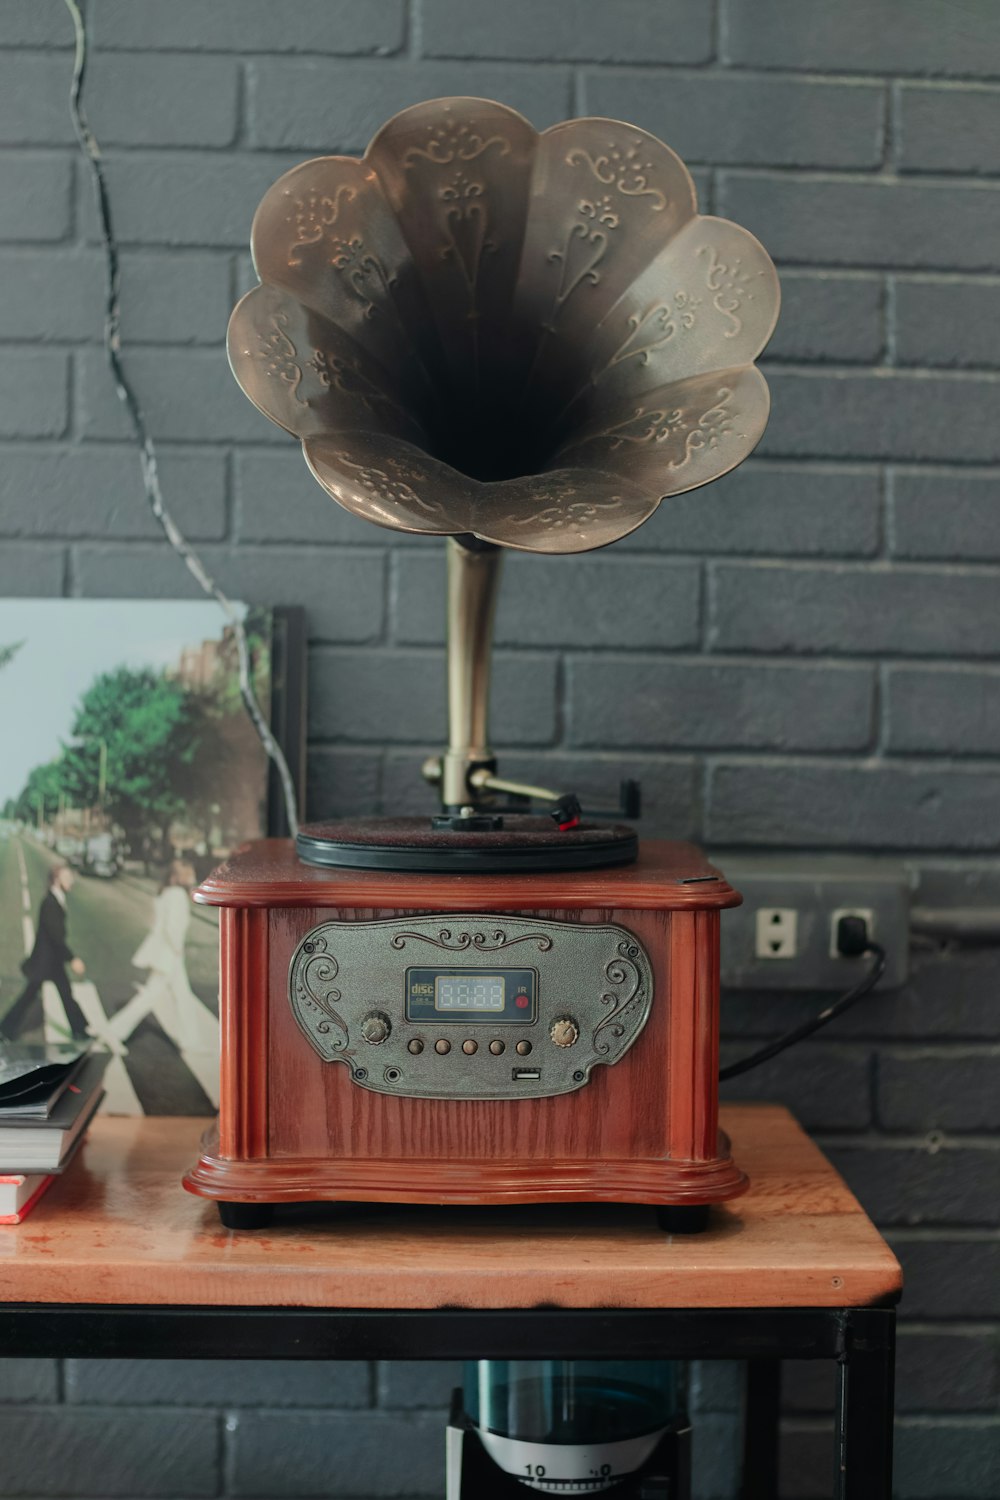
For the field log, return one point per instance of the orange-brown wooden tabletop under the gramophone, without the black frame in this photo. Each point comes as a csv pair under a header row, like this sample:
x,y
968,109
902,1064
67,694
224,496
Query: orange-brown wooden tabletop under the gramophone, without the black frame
x,y
119,1229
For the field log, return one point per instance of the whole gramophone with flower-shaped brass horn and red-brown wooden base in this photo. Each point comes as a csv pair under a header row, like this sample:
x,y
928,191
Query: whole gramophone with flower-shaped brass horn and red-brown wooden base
x,y
507,340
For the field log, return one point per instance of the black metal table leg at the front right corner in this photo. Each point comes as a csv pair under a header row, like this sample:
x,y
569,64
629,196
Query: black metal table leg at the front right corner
x,y
864,1406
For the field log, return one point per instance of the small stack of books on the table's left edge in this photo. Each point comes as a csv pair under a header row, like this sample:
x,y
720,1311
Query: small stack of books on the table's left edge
x,y
49,1096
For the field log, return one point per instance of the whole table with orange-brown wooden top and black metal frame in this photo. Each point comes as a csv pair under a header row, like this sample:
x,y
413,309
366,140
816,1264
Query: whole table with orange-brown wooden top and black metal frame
x,y
118,1259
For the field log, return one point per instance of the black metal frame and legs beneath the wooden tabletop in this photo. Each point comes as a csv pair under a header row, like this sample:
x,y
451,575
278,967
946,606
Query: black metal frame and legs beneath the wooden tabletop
x,y
861,1340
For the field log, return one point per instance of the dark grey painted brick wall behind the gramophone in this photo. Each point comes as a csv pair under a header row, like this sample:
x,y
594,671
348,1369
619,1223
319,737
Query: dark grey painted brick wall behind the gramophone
x,y
803,656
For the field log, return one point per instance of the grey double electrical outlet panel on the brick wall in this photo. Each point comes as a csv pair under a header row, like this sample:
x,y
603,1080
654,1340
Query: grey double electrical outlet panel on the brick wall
x,y
785,935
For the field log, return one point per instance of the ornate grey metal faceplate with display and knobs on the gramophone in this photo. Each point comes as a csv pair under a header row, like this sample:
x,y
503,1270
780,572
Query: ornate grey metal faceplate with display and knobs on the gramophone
x,y
585,992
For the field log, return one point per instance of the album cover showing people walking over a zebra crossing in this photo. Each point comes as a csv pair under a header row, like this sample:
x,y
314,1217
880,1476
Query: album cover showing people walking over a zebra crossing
x,y
128,770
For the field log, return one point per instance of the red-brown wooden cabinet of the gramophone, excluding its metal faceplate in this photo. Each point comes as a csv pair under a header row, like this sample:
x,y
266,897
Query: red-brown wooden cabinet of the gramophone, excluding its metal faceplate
x,y
293,1126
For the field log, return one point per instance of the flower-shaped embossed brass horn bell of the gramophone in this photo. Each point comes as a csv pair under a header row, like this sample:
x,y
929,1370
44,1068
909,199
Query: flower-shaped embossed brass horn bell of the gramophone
x,y
481,331
